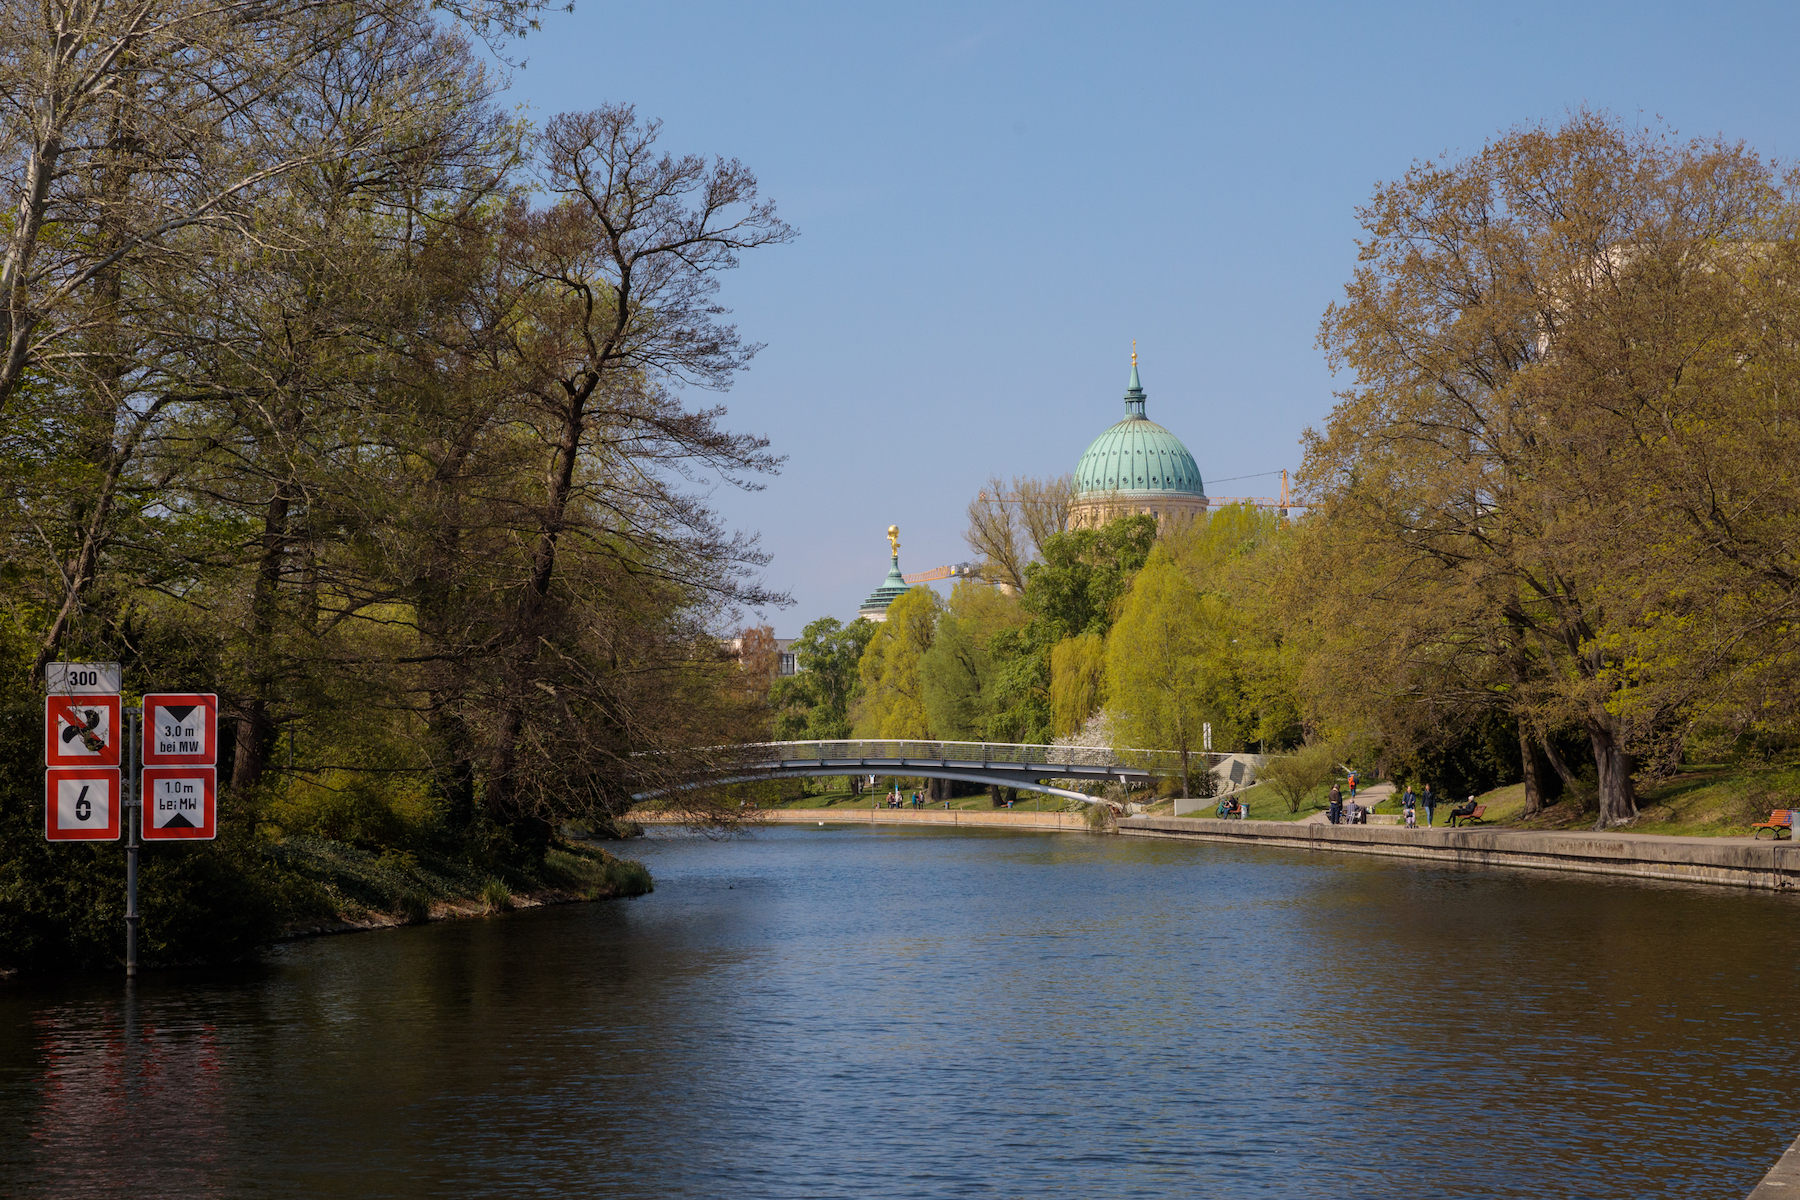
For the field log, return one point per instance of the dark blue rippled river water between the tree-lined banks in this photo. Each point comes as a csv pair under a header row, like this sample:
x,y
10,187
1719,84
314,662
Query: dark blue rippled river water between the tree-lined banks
x,y
928,1014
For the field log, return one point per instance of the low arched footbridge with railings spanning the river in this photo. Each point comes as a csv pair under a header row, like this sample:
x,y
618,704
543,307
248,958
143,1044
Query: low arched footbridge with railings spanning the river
x,y
1009,766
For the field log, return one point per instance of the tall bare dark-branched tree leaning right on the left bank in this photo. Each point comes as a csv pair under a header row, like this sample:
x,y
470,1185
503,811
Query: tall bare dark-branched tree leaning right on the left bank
x,y
622,271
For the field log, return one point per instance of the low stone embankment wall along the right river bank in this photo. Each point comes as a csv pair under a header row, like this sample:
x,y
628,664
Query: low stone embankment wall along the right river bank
x,y
1736,863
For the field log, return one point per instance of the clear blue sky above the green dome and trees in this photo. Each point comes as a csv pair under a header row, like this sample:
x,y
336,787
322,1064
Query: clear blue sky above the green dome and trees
x,y
996,199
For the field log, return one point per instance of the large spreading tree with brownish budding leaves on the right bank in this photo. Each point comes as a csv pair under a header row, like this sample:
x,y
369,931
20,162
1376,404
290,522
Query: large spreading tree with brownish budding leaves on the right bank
x,y
1524,330
